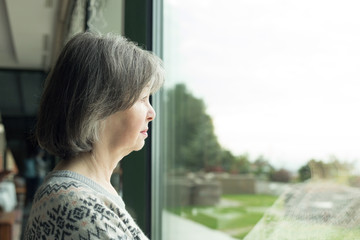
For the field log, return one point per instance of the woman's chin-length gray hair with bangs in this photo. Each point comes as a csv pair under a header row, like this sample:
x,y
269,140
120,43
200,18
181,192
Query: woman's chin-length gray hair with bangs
x,y
95,76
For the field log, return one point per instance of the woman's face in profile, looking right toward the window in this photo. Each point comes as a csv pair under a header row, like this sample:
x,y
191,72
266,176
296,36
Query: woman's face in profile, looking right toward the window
x,y
126,131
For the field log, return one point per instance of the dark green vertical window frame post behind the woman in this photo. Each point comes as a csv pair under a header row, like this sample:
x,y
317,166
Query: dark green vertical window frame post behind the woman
x,y
137,169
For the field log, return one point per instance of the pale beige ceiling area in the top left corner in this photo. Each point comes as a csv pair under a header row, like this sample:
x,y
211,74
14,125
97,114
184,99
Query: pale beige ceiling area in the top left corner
x,y
27,30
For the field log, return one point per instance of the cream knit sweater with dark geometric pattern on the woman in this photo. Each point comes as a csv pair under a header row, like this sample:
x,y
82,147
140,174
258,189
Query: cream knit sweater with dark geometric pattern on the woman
x,y
71,206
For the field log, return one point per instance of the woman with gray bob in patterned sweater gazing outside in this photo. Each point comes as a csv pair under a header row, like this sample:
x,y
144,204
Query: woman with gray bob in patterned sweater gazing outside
x,y
94,110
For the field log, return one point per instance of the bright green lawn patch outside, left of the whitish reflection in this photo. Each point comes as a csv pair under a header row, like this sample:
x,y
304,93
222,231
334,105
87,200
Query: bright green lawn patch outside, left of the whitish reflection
x,y
236,215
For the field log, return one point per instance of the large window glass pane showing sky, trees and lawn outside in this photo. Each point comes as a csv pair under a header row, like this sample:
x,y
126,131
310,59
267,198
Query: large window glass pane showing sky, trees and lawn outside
x,y
261,126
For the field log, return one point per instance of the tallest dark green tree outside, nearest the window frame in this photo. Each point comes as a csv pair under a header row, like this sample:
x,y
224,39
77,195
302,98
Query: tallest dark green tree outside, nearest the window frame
x,y
195,145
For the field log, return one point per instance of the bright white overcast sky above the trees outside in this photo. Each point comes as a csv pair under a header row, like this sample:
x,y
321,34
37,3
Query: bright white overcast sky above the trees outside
x,y
280,78
